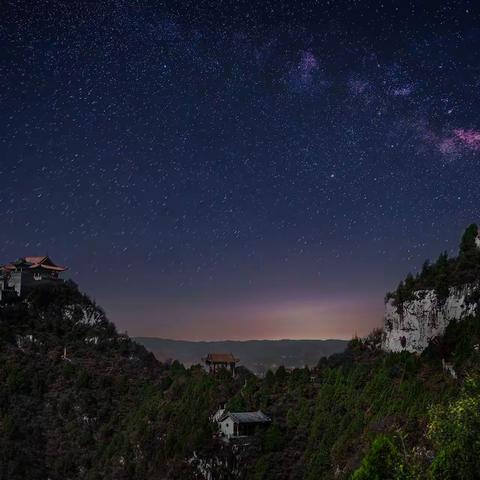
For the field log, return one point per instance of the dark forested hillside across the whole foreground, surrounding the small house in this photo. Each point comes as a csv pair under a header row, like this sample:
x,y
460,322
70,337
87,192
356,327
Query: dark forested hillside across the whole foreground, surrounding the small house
x,y
110,410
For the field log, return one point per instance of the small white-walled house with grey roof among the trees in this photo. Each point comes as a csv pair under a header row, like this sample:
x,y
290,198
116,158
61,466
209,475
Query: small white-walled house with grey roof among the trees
x,y
241,425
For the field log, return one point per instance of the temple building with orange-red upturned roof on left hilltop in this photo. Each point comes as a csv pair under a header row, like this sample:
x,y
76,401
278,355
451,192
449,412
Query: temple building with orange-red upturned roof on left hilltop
x,y
19,277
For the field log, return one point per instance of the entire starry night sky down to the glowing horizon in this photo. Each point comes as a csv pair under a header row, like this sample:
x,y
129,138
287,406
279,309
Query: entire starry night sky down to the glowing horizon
x,y
238,169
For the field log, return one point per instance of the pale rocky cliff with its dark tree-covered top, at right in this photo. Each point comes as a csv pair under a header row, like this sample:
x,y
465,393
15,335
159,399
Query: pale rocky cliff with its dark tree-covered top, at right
x,y
422,306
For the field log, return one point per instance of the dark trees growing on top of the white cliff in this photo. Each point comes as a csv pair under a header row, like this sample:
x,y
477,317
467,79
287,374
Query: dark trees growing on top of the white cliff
x,y
444,273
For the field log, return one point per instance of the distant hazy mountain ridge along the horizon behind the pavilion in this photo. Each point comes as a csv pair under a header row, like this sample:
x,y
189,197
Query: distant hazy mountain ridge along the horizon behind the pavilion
x,y
257,355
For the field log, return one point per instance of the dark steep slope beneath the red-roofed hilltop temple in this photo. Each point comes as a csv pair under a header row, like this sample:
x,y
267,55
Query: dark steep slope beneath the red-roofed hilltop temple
x,y
59,416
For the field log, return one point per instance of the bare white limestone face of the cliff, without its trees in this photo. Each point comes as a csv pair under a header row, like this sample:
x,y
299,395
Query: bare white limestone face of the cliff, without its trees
x,y
420,320
